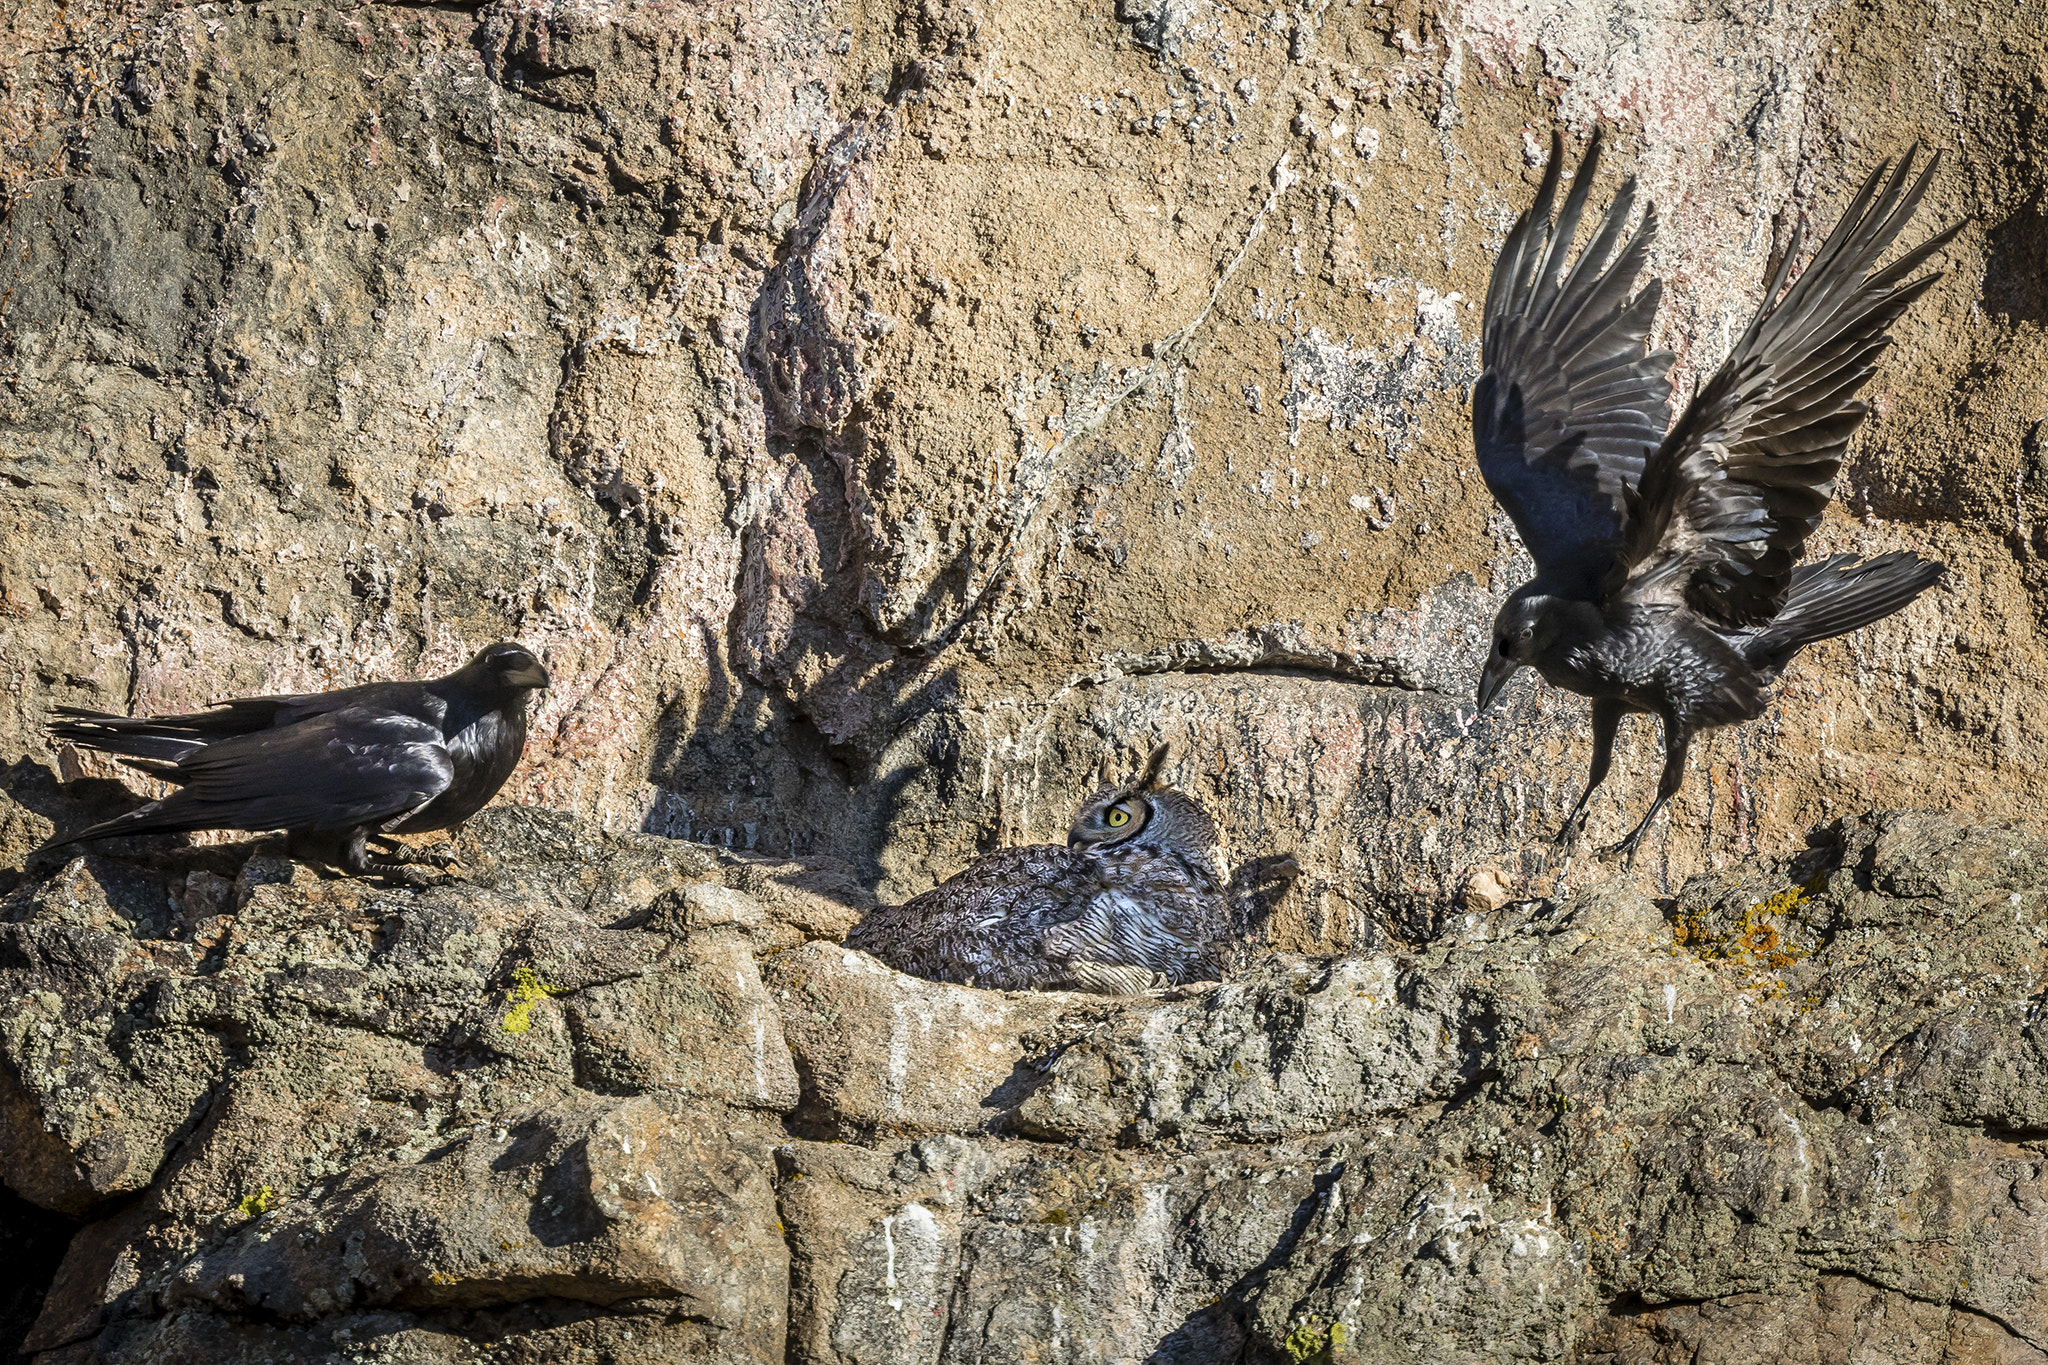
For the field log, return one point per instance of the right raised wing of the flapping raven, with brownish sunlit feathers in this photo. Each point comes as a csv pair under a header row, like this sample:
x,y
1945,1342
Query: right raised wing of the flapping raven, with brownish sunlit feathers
x,y
1727,502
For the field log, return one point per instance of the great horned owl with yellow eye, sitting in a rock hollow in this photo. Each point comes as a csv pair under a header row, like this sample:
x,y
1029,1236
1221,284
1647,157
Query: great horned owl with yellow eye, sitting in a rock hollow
x,y
1138,899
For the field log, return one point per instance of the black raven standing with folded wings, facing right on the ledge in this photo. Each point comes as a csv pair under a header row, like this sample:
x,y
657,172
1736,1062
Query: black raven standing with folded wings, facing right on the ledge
x,y
380,758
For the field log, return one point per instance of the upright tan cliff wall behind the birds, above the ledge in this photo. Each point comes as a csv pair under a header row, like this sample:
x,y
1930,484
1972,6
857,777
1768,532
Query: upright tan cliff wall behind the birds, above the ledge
x,y
880,412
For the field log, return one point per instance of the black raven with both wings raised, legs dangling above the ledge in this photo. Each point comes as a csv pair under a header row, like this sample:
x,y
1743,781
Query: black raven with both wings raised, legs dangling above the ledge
x,y
1668,572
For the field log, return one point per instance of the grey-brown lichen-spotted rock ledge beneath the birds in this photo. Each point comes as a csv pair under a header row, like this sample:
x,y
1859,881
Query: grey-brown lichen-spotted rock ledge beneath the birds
x,y
620,1098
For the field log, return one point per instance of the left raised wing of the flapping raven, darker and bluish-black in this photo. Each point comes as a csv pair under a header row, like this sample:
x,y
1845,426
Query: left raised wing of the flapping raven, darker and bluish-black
x,y
1572,398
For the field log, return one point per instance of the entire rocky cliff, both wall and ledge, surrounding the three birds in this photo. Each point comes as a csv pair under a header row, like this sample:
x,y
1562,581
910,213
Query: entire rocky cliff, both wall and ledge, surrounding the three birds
x,y
878,414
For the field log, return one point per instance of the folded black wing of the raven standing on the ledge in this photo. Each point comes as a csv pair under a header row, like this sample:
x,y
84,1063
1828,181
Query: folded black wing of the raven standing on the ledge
x,y
339,770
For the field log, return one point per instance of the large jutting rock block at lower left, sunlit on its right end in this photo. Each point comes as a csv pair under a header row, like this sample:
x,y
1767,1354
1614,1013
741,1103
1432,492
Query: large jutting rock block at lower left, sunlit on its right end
x,y
593,1202
